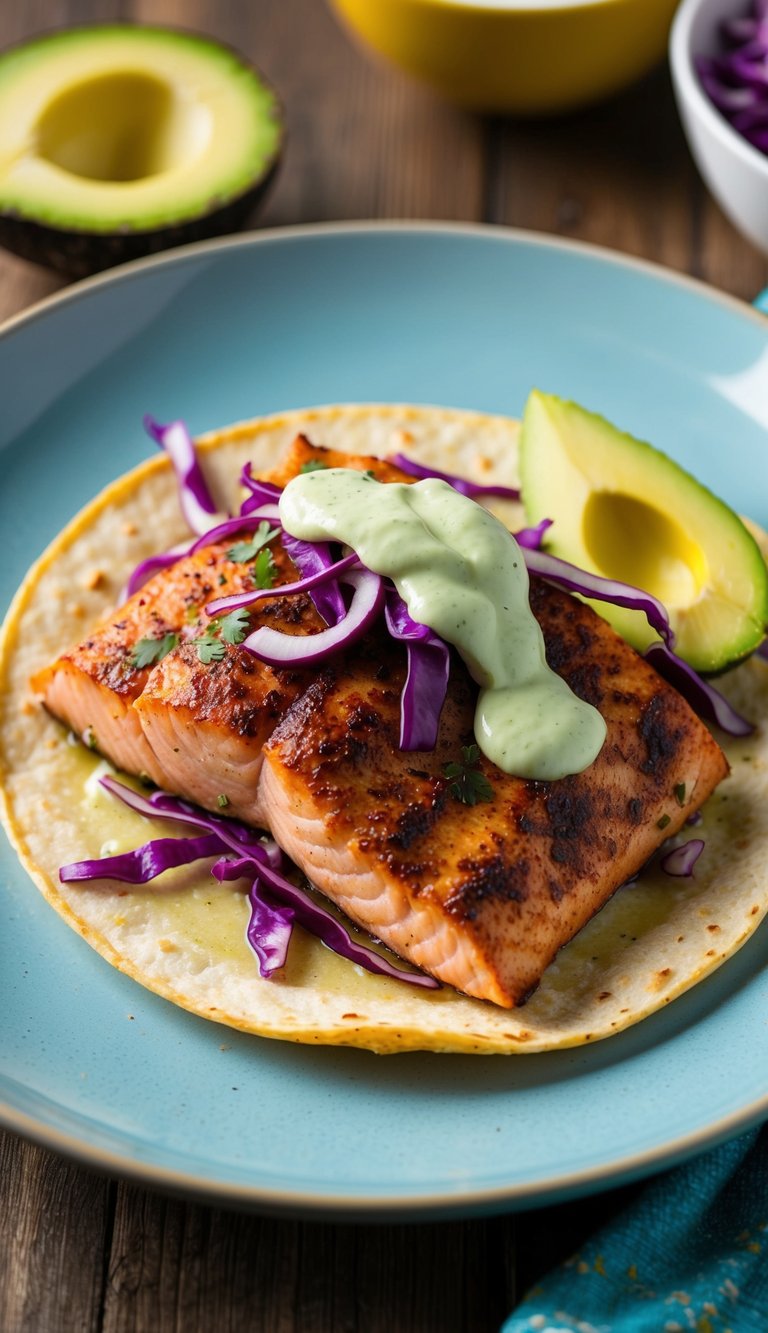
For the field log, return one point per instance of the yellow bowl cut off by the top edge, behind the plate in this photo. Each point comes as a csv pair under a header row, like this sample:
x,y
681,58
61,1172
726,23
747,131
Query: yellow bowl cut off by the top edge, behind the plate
x,y
522,57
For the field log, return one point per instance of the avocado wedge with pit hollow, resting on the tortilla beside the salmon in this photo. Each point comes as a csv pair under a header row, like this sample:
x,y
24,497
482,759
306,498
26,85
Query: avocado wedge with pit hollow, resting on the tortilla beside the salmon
x,y
623,510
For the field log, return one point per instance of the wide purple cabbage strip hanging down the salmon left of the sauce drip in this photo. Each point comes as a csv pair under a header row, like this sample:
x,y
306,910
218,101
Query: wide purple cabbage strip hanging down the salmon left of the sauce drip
x,y
427,680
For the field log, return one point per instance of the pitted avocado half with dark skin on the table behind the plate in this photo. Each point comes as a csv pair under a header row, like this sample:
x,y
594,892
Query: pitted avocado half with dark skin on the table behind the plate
x,y
118,142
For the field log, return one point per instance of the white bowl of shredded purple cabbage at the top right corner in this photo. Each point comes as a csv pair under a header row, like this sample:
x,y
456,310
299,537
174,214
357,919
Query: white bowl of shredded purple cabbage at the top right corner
x,y
734,170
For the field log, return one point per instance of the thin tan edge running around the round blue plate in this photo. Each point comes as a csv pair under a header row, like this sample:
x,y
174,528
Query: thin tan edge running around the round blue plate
x,y
423,1204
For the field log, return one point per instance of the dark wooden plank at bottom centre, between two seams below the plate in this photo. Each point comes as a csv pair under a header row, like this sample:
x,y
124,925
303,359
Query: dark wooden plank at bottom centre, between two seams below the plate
x,y
178,1266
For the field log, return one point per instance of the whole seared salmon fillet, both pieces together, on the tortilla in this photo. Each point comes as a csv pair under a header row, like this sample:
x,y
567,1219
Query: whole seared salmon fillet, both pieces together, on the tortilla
x,y
481,896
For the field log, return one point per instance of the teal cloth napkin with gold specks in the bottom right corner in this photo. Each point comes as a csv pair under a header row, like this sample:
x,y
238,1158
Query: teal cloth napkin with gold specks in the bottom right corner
x,y
689,1255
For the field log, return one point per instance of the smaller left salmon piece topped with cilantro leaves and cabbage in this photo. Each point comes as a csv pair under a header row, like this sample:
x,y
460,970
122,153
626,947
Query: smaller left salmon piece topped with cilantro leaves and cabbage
x,y
187,726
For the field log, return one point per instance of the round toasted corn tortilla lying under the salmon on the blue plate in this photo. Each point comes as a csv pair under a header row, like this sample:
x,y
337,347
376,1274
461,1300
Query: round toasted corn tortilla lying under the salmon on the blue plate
x,y
185,939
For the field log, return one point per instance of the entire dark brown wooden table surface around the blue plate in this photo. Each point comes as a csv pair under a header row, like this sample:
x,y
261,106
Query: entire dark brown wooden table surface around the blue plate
x,y
81,1252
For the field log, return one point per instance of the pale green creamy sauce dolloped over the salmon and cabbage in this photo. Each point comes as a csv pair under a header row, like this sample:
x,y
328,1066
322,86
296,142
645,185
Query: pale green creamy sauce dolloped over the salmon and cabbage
x,y
462,574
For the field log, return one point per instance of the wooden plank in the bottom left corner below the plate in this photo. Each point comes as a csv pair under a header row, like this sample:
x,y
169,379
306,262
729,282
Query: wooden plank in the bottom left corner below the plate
x,y
55,1219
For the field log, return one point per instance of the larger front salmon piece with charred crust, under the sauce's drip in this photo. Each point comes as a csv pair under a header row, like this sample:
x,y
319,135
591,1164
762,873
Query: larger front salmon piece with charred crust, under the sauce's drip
x,y
483,896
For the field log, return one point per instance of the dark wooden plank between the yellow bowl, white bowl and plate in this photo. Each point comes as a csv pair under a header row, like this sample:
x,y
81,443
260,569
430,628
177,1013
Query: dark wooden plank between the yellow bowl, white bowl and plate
x,y
621,175
